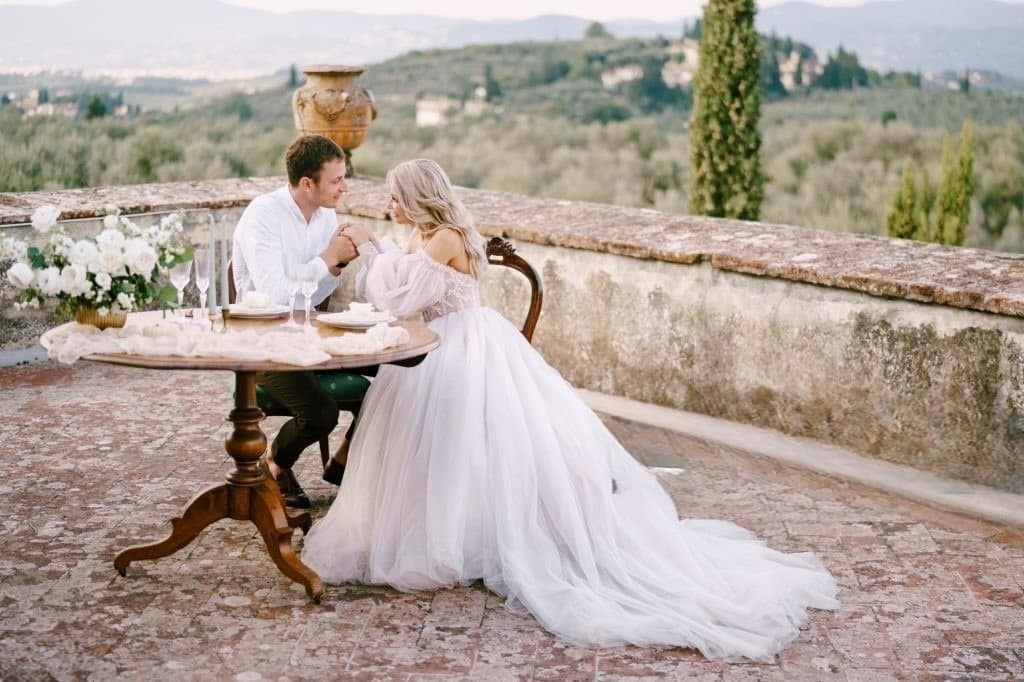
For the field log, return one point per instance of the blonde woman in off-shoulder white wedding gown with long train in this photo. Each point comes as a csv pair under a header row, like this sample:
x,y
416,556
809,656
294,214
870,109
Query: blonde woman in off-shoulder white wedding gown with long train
x,y
483,463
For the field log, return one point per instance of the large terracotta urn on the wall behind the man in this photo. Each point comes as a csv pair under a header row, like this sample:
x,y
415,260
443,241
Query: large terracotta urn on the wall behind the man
x,y
333,104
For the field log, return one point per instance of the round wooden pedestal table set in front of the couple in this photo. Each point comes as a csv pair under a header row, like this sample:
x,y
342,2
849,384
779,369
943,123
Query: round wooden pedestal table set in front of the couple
x,y
247,493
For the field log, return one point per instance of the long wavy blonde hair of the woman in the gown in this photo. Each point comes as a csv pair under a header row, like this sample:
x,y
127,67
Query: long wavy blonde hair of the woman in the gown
x,y
424,192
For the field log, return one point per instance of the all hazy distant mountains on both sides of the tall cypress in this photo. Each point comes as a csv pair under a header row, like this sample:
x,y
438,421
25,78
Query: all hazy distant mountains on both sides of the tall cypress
x,y
210,38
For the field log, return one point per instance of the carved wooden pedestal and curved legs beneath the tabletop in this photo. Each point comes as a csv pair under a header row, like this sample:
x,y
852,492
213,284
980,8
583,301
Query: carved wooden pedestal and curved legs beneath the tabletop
x,y
248,495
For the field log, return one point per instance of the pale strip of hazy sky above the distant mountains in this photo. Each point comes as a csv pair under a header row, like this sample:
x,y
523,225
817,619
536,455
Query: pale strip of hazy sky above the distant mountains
x,y
600,10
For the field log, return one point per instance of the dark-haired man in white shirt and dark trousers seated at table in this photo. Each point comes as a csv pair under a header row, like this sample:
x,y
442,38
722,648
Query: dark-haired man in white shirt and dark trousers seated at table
x,y
297,225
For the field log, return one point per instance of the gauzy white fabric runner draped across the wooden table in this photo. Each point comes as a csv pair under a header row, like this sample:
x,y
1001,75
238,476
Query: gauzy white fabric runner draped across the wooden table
x,y
71,343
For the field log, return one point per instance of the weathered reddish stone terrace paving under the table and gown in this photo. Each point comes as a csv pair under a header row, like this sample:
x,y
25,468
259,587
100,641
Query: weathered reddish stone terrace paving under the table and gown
x,y
96,457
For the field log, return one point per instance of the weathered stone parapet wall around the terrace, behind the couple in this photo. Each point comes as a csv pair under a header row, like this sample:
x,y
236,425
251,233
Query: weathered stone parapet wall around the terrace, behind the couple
x,y
906,352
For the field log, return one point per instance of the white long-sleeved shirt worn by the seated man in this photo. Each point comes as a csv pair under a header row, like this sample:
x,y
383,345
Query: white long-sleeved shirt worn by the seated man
x,y
273,231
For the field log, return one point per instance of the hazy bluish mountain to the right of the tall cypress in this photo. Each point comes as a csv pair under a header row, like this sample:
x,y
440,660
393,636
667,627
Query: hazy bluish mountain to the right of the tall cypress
x,y
911,35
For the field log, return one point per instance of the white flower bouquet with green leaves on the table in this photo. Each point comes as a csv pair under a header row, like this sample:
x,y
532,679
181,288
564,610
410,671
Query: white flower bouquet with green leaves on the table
x,y
117,272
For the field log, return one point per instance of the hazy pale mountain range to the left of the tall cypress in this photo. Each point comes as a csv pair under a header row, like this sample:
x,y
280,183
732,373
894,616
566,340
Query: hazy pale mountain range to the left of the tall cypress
x,y
200,38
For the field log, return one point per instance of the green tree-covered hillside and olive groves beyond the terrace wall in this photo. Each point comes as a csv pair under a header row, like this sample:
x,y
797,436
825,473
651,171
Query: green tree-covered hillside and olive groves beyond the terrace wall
x,y
549,127
